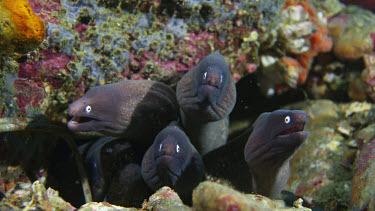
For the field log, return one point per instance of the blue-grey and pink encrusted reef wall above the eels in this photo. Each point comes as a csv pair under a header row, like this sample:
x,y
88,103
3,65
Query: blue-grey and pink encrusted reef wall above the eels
x,y
88,43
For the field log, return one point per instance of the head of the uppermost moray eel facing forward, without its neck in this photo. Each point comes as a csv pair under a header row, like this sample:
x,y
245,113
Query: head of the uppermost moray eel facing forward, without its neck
x,y
207,91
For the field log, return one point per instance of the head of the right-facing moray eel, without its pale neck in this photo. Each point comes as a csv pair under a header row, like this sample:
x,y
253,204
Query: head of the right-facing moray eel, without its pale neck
x,y
276,137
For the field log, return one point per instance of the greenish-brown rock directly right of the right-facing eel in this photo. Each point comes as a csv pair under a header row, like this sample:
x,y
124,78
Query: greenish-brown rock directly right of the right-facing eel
x,y
321,171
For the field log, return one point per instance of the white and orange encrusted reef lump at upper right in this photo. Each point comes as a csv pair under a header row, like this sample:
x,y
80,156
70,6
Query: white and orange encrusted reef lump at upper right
x,y
302,34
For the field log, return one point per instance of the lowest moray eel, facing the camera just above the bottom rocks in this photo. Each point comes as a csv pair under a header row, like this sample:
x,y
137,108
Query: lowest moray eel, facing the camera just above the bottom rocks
x,y
173,161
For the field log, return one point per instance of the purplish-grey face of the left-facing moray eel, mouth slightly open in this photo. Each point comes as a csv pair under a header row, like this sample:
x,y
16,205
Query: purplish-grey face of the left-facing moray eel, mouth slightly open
x,y
94,112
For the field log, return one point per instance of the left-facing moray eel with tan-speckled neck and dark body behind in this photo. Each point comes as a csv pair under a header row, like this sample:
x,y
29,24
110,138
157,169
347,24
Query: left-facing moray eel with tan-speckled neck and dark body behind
x,y
137,110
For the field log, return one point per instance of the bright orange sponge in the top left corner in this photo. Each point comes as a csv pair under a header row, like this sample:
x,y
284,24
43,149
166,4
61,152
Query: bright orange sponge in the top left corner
x,y
20,29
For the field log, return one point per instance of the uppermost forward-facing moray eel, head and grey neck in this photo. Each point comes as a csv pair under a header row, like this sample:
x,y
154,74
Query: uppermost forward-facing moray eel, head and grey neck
x,y
206,95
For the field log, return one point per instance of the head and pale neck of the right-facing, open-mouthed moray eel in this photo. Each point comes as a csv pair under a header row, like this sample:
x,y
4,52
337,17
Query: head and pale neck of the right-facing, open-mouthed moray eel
x,y
275,138
